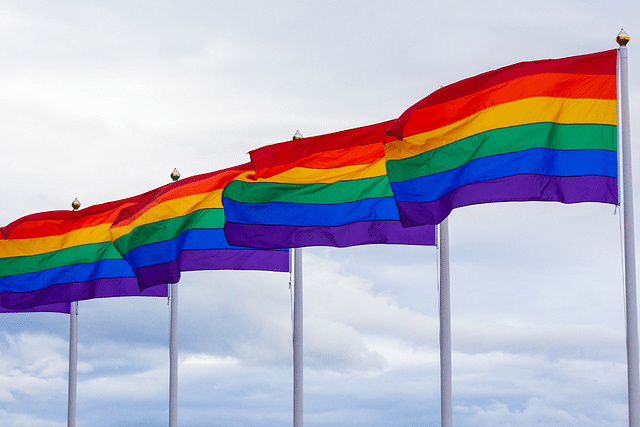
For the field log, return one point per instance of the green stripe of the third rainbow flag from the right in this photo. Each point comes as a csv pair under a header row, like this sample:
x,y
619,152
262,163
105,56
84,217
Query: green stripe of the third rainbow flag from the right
x,y
169,228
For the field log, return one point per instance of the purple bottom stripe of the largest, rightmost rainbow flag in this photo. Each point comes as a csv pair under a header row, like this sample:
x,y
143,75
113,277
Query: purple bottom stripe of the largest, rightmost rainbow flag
x,y
516,188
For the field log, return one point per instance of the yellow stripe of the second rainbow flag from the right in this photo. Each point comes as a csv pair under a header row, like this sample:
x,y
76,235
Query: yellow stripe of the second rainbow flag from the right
x,y
301,175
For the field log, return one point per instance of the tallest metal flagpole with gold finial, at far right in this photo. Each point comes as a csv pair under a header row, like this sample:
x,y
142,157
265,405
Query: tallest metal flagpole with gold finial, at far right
x,y
629,238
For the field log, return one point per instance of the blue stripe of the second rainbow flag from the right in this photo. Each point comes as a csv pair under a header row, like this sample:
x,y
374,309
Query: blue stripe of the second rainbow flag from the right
x,y
311,215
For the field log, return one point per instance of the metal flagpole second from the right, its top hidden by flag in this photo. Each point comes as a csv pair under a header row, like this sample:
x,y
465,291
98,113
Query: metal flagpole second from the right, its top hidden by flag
x,y
445,325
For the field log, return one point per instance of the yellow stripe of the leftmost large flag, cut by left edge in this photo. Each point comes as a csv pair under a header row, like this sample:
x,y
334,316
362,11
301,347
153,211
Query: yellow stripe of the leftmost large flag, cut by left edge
x,y
41,245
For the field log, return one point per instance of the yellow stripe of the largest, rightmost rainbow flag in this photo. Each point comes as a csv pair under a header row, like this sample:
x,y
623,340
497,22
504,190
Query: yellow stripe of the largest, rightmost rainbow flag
x,y
524,111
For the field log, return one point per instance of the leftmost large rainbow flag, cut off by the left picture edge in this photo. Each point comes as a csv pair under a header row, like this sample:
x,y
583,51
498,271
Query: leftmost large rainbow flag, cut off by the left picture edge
x,y
63,256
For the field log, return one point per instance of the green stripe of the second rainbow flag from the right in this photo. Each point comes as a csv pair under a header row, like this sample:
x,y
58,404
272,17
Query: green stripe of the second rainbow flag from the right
x,y
321,194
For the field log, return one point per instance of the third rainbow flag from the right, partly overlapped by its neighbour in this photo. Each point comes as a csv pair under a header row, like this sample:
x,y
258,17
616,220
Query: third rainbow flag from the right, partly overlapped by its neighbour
x,y
178,227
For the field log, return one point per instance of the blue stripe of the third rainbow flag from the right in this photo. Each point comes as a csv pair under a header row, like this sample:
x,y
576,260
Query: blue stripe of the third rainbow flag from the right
x,y
169,250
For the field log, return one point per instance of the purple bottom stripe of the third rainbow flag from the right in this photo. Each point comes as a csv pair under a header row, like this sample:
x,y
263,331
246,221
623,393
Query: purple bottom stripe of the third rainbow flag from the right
x,y
214,259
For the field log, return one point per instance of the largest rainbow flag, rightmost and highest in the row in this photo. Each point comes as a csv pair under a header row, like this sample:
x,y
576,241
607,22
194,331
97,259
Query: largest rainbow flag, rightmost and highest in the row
x,y
542,130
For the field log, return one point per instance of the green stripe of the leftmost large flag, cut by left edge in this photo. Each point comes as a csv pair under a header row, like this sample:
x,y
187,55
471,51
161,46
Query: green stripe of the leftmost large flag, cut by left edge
x,y
76,255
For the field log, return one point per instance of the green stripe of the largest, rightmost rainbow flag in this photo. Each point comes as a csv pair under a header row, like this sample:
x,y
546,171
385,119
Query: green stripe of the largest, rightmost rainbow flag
x,y
501,141
